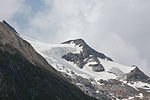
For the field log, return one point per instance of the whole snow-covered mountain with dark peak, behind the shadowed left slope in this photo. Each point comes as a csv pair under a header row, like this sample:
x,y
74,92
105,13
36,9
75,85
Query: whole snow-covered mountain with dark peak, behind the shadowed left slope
x,y
93,72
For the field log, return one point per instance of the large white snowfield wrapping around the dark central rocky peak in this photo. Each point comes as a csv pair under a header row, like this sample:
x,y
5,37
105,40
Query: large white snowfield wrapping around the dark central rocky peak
x,y
53,54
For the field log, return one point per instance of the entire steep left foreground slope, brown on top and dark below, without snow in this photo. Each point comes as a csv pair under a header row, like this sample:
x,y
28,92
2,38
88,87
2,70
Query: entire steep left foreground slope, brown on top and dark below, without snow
x,y
25,75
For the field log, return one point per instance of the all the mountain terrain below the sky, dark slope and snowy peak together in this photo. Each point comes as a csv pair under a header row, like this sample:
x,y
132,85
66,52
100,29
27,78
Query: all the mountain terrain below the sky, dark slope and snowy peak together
x,y
72,70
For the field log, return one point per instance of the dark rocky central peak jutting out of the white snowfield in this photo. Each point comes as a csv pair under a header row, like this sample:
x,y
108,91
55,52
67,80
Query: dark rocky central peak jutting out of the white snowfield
x,y
87,55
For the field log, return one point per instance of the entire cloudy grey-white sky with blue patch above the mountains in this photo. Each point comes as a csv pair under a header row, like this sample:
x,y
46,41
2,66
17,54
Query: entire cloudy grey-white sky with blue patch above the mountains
x,y
118,28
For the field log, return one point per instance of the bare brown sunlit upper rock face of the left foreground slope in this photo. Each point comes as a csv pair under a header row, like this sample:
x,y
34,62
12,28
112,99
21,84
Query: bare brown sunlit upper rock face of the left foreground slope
x,y
7,36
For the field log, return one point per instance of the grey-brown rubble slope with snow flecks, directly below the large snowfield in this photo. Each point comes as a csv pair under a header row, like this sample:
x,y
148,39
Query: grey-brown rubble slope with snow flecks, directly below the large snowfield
x,y
107,90
